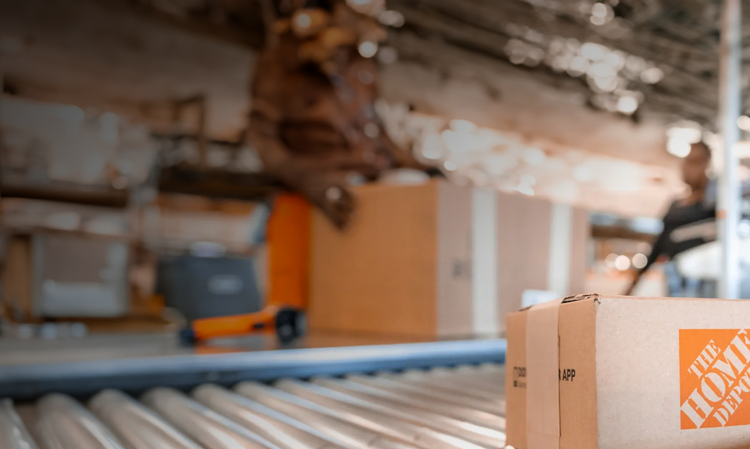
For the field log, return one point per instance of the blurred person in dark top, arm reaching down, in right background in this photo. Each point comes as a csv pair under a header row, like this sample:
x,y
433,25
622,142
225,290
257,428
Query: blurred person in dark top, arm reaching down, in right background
x,y
690,221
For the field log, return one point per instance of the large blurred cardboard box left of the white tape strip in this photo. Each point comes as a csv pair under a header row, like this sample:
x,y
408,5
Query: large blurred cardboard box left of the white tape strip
x,y
403,266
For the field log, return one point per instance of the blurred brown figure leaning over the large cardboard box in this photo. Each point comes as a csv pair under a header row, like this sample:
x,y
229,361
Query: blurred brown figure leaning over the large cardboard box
x,y
313,120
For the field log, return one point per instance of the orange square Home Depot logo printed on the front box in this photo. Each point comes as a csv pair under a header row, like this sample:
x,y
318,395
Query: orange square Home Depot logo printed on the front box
x,y
714,378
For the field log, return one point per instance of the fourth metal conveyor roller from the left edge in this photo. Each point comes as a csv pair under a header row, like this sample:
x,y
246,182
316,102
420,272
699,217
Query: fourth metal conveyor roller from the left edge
x,y
205,426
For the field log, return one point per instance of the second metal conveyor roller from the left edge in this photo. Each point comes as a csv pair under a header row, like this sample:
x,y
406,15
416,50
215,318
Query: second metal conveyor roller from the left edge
x,y
66,424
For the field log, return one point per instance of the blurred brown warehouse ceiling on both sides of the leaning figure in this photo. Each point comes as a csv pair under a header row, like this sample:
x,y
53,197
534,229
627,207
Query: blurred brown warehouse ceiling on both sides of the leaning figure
x,y
563,75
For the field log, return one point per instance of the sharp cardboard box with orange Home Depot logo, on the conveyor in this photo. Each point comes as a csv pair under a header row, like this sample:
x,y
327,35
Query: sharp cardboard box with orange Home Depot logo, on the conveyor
x,y
616,372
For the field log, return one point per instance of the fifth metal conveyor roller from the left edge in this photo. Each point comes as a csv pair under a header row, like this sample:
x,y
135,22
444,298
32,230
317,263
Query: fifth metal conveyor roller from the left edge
x,y
287,433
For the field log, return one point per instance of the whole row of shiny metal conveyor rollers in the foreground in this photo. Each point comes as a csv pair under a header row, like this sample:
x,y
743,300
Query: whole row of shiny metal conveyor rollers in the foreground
x,y
441,408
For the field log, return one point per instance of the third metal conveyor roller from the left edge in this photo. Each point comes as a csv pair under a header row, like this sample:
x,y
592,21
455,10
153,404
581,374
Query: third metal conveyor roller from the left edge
x,y
135,425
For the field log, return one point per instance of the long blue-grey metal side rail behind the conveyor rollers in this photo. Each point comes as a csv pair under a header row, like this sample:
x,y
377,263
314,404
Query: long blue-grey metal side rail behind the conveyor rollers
x,y
170,365
